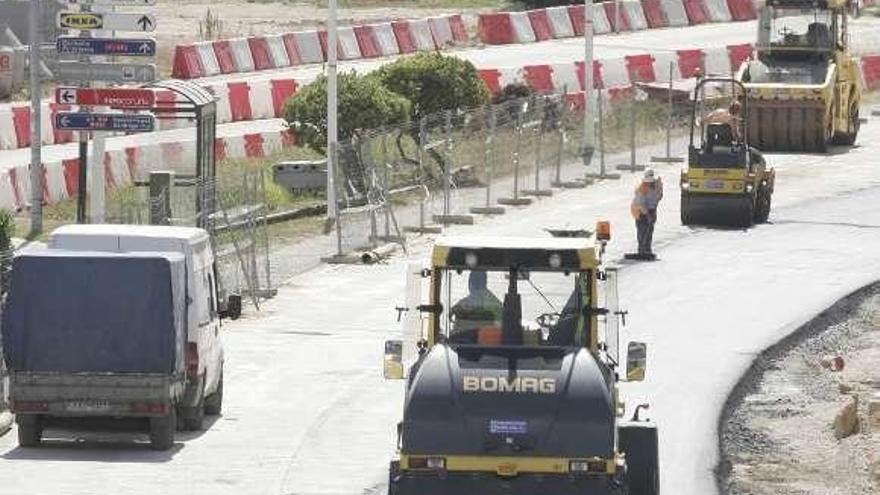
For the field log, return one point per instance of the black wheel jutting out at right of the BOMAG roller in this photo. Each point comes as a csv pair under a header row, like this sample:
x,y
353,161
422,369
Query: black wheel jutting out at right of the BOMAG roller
x,y
639,443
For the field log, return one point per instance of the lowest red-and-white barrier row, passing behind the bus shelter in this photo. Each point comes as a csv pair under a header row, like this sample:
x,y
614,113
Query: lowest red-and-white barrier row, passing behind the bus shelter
x,y
124,166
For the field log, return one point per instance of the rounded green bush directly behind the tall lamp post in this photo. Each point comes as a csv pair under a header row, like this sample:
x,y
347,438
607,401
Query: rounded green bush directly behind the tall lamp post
x,y
363,104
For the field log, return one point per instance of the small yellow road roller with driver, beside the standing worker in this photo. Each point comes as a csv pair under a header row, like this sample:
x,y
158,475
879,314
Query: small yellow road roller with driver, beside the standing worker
x,y
726,182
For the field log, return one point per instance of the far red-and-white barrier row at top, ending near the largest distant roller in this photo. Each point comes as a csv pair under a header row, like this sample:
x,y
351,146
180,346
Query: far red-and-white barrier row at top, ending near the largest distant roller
x,y
500,28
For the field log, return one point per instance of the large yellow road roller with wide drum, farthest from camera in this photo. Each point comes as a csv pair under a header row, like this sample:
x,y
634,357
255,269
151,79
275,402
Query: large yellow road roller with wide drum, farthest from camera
x,y
803,85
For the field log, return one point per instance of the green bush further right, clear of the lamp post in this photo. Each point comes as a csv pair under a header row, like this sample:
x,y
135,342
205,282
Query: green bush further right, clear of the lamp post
x,y
433,83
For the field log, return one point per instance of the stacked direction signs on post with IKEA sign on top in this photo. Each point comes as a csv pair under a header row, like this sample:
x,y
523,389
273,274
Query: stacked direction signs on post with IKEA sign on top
x,y
94,69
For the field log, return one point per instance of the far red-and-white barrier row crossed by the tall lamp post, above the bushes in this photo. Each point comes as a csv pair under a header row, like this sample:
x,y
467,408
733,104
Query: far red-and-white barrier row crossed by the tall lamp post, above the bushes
x,y
277,51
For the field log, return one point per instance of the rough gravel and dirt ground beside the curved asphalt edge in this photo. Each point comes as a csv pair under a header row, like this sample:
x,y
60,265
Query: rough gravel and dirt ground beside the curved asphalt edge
x,y
778,436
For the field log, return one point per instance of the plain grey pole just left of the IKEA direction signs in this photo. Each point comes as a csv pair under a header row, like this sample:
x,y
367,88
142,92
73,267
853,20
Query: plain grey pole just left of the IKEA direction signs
x,y
36,120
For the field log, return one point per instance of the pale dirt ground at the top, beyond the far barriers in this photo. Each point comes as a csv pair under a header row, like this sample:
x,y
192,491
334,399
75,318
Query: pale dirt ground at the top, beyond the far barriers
x,y
179,20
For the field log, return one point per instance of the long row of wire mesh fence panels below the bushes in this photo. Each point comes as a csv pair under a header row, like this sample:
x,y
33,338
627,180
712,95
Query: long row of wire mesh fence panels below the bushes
x,y
449,167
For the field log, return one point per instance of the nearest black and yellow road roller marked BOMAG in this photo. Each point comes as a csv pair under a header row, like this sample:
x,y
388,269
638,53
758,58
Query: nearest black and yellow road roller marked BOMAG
x,y
514,386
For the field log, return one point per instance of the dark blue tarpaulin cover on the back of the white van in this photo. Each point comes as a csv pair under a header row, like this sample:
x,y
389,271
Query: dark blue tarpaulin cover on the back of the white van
x,y
95,312
